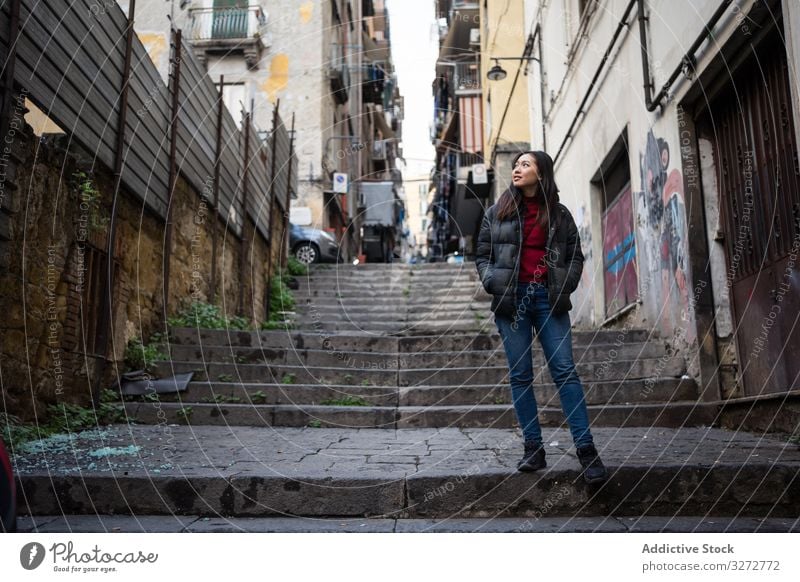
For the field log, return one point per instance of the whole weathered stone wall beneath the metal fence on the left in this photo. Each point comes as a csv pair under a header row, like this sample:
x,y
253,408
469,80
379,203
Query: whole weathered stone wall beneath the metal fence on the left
x,y
56,231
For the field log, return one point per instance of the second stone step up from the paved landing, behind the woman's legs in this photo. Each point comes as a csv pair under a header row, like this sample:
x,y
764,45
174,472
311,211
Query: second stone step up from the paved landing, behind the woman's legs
x,y
607,392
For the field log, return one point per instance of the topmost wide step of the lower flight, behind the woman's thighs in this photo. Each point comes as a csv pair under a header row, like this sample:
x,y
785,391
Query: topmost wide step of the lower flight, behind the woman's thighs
x,y
369,342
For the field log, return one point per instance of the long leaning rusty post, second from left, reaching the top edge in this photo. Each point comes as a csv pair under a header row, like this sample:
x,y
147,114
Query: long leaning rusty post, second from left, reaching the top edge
x,y
104,337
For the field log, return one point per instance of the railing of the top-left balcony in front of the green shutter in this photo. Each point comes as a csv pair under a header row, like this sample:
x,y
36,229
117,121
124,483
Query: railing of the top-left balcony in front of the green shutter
x,y
233,24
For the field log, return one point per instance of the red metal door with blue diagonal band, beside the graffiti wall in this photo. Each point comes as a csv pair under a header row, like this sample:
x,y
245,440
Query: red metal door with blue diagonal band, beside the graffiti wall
x,y
619,253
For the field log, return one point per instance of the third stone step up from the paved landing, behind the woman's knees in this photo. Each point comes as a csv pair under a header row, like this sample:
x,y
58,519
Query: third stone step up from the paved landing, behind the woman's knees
x,y
377,376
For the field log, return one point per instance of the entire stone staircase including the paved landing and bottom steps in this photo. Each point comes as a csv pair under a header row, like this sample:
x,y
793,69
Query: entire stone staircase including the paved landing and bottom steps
x,y
389,400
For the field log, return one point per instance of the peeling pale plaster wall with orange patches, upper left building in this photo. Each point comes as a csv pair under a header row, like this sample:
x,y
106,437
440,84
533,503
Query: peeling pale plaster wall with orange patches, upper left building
x,y
292,69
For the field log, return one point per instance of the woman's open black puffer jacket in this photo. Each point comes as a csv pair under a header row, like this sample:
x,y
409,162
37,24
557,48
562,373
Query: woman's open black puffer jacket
x,y
498,255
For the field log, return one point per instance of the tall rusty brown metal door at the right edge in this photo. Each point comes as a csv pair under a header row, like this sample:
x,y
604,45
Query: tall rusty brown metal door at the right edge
x,y
759,178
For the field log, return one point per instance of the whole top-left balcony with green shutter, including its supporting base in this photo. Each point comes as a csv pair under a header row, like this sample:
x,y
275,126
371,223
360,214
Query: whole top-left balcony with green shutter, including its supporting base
x,y
225,30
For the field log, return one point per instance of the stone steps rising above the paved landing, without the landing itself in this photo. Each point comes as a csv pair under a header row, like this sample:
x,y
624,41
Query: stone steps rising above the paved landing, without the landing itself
x,y
401,347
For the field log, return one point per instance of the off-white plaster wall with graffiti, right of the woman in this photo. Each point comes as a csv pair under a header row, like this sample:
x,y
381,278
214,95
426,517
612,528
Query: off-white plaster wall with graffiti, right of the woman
x,y
570,59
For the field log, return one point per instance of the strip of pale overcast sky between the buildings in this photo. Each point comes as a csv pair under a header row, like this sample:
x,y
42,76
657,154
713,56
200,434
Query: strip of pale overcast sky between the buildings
x,y
415,47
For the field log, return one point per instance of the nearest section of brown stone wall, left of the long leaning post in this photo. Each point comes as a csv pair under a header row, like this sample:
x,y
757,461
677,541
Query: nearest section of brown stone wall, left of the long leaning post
x,y
40,291
